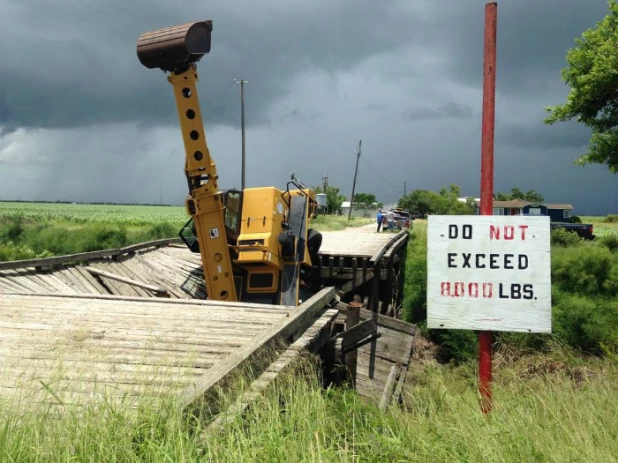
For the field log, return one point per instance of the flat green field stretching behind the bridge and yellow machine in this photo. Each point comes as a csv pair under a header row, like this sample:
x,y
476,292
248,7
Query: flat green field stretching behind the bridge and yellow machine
x,y
30,230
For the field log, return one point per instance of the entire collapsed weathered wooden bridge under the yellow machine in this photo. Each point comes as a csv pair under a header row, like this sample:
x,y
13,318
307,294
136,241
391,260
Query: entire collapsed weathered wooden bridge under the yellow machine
x,y
135,322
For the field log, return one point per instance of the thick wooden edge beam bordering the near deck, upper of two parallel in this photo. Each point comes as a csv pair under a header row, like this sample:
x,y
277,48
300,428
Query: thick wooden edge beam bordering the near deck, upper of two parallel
x,y
298,320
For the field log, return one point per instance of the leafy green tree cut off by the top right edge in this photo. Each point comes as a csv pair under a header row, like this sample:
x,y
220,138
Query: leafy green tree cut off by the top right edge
x,y
592,74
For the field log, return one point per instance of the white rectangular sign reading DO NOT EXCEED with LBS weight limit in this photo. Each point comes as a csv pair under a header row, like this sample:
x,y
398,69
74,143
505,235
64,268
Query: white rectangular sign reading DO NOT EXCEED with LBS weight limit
x,y
489,273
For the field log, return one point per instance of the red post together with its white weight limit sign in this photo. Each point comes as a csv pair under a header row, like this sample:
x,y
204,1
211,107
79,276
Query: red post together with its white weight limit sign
x,y
488,273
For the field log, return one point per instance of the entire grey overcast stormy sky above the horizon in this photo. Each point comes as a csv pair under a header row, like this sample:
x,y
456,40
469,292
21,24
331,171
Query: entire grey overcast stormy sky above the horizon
x,y
82,120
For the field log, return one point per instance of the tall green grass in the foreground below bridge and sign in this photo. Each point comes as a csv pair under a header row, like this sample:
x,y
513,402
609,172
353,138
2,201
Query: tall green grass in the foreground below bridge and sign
x,y
544,410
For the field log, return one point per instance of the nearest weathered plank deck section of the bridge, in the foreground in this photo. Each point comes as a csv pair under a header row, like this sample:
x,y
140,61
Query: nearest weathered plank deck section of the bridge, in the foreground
x,y
76,349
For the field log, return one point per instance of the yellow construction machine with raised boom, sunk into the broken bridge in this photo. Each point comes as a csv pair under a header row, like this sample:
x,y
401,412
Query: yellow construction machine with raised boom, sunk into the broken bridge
x,y
255,244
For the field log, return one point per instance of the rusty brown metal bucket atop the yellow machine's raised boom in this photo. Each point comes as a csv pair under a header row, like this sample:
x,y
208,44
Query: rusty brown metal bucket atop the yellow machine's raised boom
x,y
174,48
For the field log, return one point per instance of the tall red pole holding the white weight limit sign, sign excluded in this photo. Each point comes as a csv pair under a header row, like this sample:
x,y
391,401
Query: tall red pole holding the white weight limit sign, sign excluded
x,y
487,179
